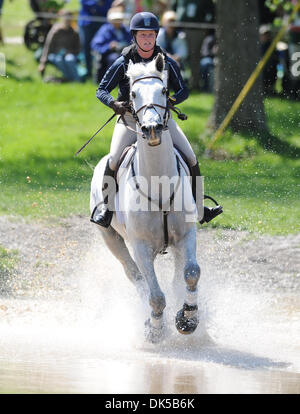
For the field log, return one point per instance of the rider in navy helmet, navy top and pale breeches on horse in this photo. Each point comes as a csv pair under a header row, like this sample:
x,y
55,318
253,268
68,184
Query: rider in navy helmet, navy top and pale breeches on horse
x,y
144,28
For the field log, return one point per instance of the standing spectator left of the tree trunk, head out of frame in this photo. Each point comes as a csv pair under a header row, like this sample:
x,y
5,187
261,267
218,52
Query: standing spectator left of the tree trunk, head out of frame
x,y
194,11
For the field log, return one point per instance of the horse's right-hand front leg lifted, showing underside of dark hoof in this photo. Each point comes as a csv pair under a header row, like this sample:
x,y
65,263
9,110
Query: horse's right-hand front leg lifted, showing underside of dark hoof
x,y
187,317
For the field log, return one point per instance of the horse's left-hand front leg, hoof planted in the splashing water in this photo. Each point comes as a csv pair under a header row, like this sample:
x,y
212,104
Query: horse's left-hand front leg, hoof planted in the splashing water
x,y
144,257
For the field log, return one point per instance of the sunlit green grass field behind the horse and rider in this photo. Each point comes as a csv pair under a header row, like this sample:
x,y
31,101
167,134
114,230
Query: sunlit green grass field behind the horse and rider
x,y
42,126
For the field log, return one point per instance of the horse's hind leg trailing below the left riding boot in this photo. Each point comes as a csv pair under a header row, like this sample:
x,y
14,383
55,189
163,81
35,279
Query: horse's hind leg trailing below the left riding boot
x,y
117,246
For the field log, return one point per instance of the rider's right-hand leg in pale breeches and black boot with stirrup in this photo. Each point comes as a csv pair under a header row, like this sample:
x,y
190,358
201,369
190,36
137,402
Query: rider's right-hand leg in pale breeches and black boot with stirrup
x,y
182,143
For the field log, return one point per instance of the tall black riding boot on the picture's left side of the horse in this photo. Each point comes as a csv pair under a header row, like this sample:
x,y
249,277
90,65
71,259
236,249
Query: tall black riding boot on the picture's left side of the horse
x,y
103,215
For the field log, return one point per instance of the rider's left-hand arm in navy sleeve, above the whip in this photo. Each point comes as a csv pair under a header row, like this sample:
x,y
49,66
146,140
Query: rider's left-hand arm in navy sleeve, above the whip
x,y
111,79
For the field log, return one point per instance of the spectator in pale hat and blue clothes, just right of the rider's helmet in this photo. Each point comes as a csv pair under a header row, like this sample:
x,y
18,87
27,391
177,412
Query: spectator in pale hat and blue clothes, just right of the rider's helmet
x,y
172,40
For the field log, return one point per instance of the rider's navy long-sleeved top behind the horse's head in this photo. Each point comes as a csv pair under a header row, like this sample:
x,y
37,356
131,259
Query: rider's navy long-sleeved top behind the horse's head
x,y
116,76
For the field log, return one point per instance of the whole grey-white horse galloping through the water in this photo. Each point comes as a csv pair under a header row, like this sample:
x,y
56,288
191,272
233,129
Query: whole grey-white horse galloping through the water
x,y
154,204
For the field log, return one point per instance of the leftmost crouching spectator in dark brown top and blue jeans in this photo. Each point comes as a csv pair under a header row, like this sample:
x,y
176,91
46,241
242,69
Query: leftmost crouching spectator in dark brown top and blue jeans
x,y
61,48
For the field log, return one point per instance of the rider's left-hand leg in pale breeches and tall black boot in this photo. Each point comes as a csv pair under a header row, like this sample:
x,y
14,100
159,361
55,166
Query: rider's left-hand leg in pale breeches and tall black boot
x,y
122,137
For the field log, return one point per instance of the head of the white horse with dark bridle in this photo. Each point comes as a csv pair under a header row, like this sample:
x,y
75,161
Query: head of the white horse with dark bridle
x,y
148,95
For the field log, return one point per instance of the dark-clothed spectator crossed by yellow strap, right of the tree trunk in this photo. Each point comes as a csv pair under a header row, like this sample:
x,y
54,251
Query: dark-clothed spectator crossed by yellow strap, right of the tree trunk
x,y
269,74
